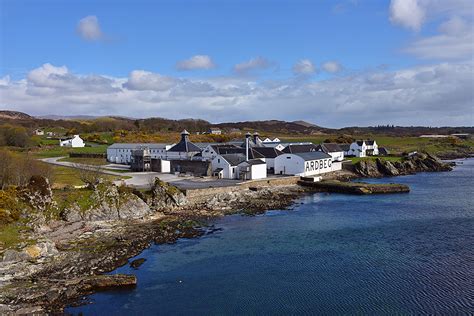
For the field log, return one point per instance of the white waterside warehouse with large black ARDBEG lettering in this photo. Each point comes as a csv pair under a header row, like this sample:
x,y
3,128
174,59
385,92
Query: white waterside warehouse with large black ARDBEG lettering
x,y
306,164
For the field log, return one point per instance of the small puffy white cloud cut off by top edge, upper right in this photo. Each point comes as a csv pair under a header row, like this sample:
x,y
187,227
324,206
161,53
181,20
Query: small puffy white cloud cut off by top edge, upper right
x,y
407,13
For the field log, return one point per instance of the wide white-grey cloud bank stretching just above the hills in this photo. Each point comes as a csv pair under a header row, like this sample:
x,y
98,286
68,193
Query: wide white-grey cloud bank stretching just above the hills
x,y
439,94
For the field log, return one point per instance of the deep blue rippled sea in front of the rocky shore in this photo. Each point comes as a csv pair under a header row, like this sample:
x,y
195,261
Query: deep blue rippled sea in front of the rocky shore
x,y
331,254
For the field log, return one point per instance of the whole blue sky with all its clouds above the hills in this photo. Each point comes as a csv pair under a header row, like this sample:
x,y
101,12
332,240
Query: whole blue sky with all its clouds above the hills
x,y
333,63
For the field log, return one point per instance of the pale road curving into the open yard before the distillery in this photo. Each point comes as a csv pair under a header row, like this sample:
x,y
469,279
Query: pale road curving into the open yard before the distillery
x,y
145,179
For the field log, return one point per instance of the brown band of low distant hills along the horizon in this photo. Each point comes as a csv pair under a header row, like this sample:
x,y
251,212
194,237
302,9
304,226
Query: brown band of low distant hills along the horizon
x,y
93,124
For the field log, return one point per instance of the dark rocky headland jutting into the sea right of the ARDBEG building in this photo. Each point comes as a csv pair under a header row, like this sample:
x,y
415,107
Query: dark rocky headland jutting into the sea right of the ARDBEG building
x,y
421,162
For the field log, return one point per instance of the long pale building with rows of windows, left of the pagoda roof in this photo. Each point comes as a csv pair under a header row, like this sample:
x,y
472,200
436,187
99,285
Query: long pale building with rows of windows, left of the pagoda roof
x,y
122,152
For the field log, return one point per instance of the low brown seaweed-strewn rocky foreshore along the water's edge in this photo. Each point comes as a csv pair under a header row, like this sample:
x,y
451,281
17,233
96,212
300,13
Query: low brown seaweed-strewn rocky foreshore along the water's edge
x,y
105,246
